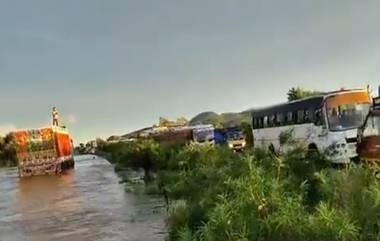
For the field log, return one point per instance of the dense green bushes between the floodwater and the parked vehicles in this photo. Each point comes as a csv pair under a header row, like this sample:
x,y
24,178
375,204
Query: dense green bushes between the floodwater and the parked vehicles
x,y
217,195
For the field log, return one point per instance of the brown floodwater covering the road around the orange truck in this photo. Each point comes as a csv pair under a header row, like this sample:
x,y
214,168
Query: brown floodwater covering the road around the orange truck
x,y
86,204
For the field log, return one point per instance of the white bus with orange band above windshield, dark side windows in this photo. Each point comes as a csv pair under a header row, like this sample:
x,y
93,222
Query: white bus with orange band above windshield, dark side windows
x,y
326,123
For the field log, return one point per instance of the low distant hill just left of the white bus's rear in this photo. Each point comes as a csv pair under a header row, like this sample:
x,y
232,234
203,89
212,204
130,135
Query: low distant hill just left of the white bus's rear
x,y
221,120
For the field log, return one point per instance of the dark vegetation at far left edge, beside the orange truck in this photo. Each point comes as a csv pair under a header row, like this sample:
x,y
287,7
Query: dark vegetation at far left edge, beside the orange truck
x,y
7,151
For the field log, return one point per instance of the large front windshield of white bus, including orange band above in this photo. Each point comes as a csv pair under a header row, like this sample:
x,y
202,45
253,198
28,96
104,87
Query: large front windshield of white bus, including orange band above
x,y
347,111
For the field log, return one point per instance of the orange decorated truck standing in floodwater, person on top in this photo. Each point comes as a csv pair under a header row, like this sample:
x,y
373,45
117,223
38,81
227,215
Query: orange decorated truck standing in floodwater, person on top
x,y
44,151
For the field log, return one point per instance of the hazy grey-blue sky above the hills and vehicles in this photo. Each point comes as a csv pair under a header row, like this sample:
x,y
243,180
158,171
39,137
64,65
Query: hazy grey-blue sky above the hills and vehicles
x,y
114,66
